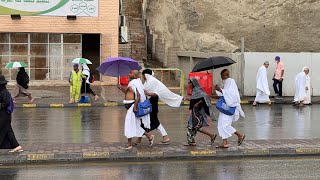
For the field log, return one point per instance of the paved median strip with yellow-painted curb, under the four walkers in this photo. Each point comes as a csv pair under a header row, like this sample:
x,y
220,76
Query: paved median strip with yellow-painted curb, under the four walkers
x,y
35,153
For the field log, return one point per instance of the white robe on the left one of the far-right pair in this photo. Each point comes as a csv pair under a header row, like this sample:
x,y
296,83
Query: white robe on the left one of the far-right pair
x,y
300,84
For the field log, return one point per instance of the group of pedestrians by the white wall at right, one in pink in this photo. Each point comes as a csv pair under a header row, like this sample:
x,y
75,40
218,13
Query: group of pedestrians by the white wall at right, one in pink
x,y
302,85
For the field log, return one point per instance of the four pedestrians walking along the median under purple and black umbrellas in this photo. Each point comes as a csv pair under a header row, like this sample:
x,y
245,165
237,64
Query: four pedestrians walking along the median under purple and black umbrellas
x,y
139,89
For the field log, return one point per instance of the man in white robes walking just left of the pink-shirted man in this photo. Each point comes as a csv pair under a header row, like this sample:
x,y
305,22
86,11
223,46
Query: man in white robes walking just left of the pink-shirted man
x,y
263,91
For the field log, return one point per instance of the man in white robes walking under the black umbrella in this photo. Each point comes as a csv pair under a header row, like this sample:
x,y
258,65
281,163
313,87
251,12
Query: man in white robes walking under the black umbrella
x,y
232,97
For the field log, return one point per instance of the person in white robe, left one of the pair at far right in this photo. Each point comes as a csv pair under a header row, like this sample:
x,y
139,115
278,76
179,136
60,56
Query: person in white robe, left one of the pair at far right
x,y
301,87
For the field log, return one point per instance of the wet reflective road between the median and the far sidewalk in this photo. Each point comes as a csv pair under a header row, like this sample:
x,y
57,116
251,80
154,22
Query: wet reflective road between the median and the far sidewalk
x,y
105,124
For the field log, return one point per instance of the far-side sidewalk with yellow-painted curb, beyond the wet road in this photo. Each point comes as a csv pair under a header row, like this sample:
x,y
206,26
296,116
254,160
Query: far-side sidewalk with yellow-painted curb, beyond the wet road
x,y
58,96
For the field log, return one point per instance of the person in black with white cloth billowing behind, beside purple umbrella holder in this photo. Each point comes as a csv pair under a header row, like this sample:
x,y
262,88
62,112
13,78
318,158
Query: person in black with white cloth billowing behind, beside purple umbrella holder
x,y
156,90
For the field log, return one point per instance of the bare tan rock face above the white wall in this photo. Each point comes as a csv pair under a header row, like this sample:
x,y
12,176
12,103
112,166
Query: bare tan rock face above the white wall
x,y
218,25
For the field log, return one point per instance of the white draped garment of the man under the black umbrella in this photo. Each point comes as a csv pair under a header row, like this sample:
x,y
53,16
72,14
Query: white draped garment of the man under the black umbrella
x,y
232,97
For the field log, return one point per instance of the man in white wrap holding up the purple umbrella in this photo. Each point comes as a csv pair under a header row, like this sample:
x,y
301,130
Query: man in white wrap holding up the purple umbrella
x,y
134,94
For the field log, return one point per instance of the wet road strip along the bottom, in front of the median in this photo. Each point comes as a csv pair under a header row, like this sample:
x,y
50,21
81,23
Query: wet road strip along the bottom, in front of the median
x,y
285,168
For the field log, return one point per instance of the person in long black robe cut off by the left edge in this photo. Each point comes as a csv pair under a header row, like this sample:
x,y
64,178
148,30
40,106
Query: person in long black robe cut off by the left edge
x,y
7,137
